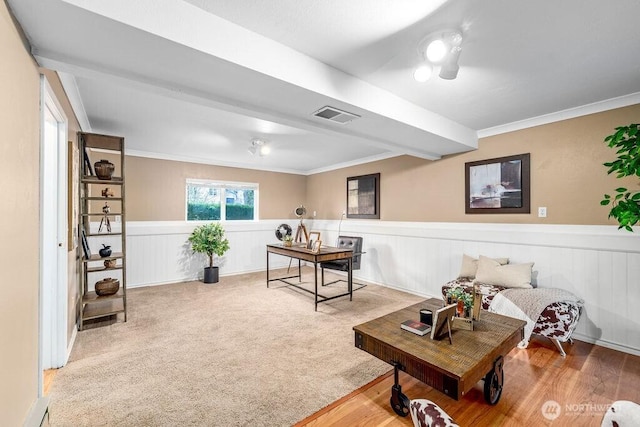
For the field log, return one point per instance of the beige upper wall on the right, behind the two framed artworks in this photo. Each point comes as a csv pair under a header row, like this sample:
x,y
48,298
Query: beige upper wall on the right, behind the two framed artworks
x,y
567,176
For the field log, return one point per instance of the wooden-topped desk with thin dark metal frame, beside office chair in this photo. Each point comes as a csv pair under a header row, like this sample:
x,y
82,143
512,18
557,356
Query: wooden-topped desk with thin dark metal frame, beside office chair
x,y
324,255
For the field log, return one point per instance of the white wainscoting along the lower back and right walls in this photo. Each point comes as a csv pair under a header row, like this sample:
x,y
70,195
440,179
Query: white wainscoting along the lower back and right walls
x,y
600,264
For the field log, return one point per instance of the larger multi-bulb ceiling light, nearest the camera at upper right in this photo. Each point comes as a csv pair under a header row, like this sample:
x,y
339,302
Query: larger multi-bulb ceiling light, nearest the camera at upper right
x,y
440,48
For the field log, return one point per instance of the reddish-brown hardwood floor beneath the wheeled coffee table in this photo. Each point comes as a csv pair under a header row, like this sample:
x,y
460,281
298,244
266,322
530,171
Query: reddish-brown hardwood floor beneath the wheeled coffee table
x,y
583,384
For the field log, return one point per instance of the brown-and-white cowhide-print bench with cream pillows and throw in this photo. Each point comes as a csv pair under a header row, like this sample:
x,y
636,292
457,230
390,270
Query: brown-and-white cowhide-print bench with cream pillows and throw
x,y
556,321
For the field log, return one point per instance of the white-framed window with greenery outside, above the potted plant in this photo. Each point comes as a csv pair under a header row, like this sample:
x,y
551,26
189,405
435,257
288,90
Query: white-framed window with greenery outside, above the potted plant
x,y
221,201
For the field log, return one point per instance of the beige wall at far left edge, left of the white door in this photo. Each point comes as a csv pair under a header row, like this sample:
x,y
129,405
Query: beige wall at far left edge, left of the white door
x,y
19,228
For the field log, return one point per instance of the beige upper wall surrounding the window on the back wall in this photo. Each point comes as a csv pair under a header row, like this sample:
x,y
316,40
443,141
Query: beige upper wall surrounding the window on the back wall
x,y
156,188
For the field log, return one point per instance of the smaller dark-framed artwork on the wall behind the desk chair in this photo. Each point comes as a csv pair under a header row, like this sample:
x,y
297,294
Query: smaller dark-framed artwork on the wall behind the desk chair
x,y
363,196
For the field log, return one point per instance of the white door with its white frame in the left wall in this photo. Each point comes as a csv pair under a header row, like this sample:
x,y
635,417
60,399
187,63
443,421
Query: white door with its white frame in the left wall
x,y
53,232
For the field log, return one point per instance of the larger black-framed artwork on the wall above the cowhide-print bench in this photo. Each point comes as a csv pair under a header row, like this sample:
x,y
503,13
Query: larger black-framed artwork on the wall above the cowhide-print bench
x,y
498,186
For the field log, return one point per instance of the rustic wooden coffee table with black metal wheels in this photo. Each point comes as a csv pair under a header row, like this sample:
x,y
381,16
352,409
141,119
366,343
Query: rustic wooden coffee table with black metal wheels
x,y
451,368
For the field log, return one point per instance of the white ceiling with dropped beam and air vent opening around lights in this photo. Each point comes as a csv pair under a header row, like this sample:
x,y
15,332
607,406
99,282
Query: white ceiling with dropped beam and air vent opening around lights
x,y
196,80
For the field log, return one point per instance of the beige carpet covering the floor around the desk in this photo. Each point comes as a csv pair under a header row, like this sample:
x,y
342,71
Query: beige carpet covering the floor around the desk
x,y
228,354
